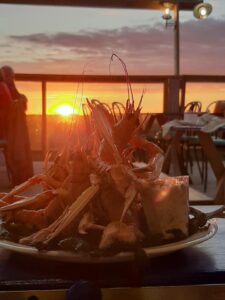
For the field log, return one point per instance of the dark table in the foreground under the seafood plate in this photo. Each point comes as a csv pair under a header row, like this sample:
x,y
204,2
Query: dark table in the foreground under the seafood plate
x,y
194,272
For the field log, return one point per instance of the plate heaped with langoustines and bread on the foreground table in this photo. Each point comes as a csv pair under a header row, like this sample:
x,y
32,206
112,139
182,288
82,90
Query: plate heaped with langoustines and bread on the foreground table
x,y
102,198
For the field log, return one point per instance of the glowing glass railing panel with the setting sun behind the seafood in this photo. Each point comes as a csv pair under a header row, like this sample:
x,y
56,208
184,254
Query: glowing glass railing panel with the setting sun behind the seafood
x,y
61,94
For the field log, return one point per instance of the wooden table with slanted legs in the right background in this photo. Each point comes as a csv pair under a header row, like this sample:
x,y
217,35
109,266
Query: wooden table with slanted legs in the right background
x,y
174,157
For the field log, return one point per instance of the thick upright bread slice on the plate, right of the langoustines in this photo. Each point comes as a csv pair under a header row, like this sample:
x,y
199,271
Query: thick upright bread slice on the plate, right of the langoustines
x,y
166,208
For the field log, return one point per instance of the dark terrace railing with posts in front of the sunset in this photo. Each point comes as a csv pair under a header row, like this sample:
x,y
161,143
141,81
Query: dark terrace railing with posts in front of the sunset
x,y
168,97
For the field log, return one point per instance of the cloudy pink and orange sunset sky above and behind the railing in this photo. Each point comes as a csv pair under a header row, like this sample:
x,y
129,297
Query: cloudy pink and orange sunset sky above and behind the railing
x,y
67,40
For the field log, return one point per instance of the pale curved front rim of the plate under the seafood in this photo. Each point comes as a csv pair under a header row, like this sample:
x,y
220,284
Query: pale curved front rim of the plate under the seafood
x,y
65,256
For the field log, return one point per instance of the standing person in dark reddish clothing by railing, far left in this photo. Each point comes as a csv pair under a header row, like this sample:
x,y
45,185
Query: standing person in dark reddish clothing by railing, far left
x,y
18,143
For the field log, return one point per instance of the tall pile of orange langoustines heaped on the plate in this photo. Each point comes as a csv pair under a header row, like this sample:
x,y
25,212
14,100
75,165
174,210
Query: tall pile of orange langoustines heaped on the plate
x,y
98,190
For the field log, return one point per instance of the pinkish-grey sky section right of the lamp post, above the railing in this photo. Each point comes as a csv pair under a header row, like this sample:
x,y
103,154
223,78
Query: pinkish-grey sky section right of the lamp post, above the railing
x,y
202,46
